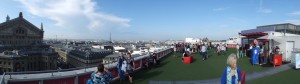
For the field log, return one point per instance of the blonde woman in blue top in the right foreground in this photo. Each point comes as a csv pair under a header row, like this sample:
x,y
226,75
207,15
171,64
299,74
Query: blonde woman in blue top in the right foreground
x,y
232,74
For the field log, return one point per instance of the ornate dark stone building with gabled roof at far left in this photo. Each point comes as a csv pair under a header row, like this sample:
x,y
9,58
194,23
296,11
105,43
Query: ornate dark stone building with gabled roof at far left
x,y
22,49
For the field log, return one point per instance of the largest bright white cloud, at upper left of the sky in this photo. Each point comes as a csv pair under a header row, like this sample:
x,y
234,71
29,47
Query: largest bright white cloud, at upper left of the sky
x,y
74,13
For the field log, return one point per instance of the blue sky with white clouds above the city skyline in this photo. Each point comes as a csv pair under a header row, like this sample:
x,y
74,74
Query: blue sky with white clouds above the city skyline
x,y
150,19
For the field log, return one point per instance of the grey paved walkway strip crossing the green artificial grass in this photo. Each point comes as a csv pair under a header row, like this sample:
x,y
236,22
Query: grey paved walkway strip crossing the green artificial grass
x,y
251,76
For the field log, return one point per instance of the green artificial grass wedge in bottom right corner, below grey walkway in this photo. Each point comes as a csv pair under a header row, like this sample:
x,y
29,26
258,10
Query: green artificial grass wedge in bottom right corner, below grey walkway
x,y
287,77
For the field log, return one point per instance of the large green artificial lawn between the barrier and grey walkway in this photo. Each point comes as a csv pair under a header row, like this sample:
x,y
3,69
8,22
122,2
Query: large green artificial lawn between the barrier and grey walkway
x,y
172,68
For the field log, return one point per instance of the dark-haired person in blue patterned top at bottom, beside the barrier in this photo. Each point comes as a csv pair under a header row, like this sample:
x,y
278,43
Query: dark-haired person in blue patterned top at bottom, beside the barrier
x,y
101,76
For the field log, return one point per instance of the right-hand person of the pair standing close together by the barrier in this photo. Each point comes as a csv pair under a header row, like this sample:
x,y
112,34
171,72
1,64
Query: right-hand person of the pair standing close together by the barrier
x,y
130,67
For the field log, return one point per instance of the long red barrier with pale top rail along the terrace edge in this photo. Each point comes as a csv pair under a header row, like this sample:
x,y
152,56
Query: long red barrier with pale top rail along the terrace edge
x,y
70,76
